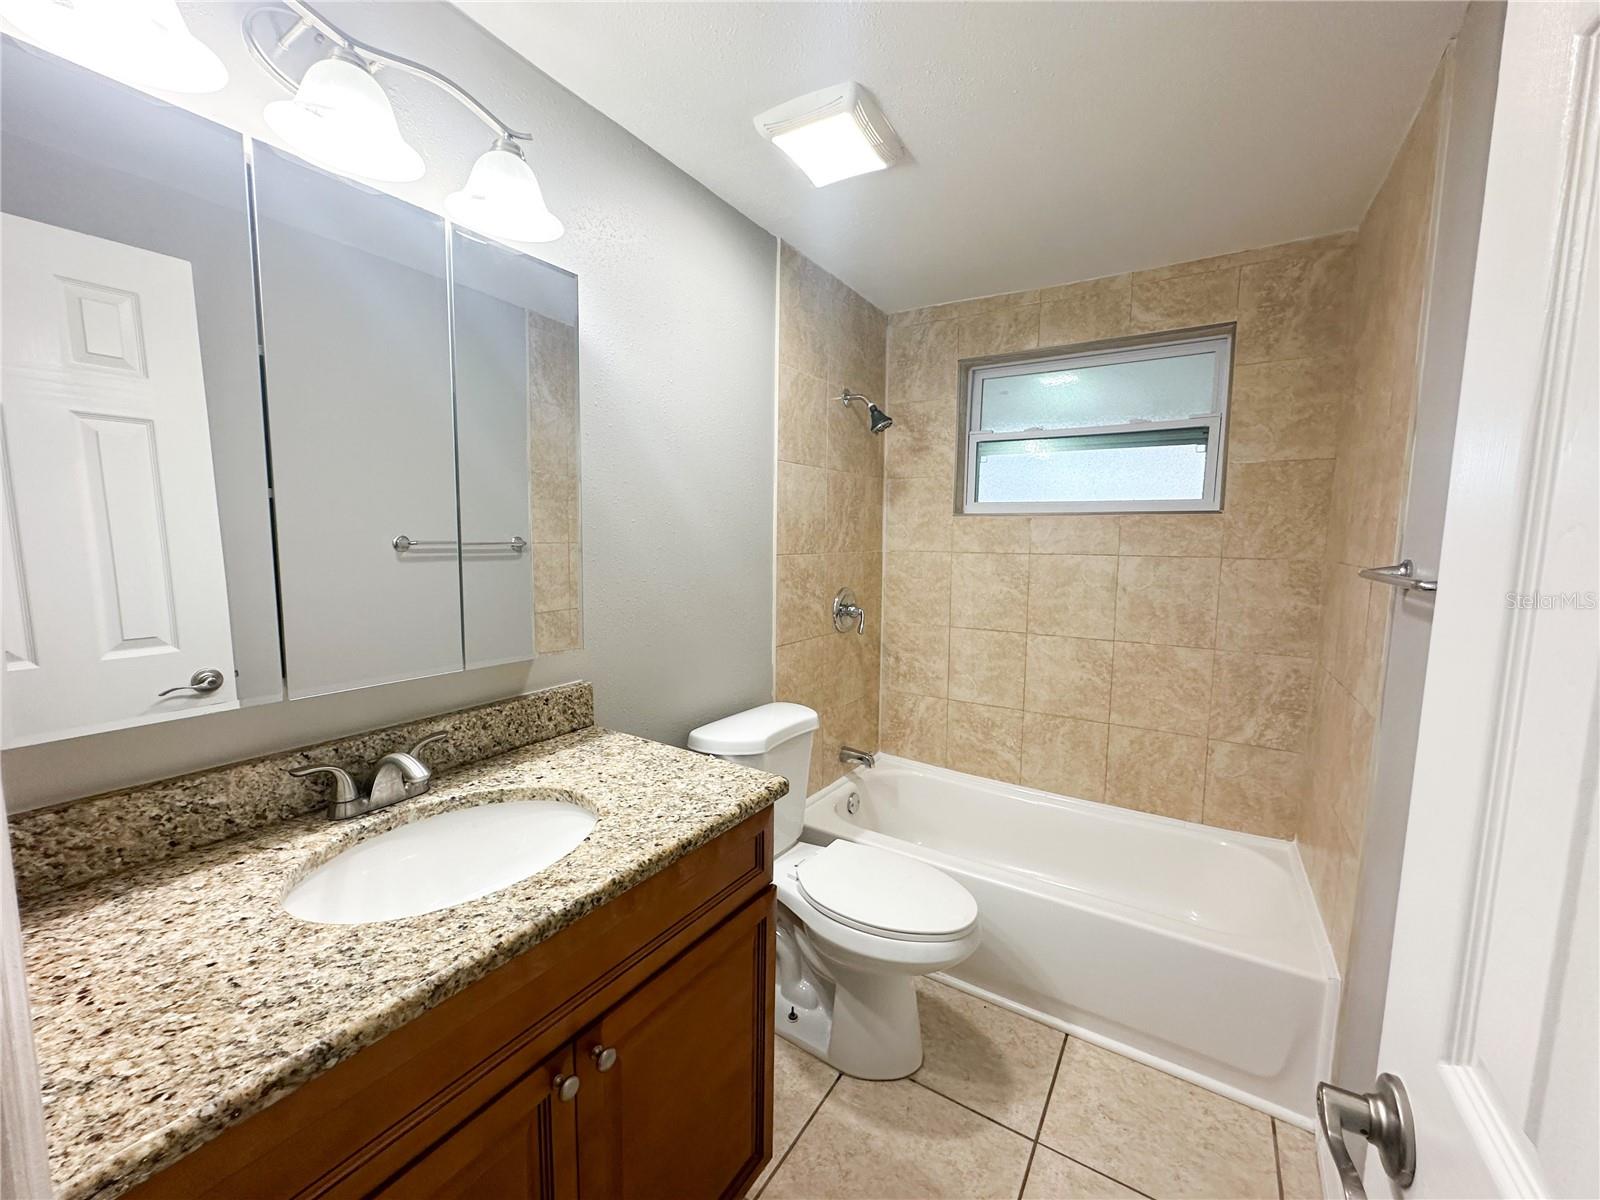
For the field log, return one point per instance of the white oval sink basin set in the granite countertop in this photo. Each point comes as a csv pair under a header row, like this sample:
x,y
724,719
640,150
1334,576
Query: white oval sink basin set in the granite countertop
x,y
439,862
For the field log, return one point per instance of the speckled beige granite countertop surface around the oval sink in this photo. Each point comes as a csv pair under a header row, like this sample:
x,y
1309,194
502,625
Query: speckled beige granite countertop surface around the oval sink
x,y
177,999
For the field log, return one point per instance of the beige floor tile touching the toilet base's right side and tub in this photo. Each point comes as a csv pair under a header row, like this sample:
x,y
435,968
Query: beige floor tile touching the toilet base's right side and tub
x,y
985,1057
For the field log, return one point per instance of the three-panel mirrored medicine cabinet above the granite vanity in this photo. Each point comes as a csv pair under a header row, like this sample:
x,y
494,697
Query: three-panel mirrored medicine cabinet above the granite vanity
x,y
266,433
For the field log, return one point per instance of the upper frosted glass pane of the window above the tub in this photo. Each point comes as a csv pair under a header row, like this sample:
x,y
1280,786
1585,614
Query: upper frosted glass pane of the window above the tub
x,y
1070,398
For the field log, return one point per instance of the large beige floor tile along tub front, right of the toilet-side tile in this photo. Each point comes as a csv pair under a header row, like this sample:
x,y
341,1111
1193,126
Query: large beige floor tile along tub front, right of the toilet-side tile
x,y
1158,1134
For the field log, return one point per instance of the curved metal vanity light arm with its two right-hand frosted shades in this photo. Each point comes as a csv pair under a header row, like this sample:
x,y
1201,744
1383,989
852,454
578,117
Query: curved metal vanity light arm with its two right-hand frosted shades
x,y
342,119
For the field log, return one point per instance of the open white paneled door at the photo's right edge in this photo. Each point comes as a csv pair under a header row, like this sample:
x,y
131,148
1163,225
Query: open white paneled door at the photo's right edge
x,y
1492,1012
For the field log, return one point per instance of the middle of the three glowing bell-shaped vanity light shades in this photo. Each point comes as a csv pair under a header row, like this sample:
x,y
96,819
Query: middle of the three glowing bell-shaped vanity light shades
x,y
343,121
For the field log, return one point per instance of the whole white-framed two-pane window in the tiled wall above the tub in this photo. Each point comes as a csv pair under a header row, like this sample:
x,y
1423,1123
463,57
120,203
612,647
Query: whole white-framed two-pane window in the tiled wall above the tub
x,y
1135,428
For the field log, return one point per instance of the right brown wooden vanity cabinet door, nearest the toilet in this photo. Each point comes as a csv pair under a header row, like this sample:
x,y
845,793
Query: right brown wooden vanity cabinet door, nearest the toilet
x,y
686,1106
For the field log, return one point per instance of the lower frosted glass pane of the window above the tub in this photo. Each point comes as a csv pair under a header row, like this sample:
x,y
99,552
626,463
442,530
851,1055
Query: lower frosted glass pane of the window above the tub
x,y
1114,468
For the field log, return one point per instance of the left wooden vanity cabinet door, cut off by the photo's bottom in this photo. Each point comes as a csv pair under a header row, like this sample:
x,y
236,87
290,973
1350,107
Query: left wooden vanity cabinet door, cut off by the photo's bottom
x,y
519,1146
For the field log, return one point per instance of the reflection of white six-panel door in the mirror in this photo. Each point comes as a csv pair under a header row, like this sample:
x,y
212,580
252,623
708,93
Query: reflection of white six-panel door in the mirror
x,y
114,586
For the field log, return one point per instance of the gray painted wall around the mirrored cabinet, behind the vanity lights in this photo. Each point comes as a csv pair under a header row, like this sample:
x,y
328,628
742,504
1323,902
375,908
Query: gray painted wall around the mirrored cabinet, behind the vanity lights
x,y
678,422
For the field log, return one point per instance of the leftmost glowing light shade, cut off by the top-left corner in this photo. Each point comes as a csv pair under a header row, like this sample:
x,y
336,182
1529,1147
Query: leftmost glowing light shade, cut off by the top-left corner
x,y
142,42
